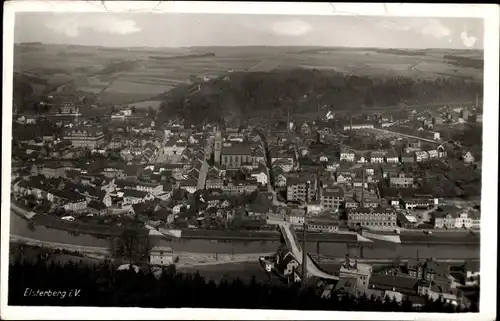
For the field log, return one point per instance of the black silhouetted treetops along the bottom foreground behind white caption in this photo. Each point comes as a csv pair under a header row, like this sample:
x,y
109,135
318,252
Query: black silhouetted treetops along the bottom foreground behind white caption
x,y
103,286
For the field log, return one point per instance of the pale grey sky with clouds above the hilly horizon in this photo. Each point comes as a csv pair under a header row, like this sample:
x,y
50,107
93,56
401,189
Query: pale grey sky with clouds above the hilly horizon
x,y
185,30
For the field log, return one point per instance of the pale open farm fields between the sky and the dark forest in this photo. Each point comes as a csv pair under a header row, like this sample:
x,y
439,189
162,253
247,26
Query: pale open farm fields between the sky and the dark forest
x,y
154,71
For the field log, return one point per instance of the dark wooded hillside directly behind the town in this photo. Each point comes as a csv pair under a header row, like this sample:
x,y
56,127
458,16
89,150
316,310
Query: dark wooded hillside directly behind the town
x,y
245,94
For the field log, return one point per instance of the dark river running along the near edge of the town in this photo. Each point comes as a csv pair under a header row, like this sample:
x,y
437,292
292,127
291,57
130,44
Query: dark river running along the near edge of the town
x,y
376,250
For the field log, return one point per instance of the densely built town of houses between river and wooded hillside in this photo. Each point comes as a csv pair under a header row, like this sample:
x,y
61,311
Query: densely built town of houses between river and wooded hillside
x,y
172,176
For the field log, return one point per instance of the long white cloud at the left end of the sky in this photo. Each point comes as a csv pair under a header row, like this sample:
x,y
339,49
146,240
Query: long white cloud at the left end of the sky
x,y
72,27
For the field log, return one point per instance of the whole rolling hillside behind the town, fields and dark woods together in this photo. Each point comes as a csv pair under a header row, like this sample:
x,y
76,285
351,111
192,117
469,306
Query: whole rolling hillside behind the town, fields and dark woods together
x,y
131,75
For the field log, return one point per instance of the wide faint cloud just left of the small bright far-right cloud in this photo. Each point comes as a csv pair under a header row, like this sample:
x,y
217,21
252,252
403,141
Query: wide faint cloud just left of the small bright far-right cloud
x,y
427,27
